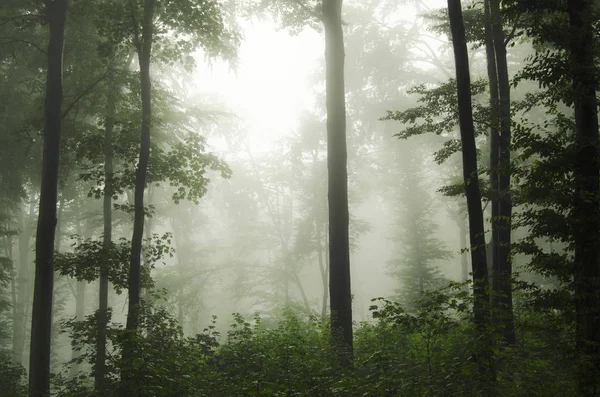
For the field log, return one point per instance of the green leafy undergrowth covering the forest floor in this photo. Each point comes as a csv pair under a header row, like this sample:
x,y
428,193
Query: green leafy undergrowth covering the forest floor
x,y
426,352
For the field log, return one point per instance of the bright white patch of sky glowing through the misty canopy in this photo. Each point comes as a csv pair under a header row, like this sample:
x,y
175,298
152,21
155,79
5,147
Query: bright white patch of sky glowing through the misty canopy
x,y
271,86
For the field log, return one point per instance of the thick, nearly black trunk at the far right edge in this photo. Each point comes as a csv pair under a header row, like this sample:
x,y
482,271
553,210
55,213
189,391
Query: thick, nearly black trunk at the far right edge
x,y
586,206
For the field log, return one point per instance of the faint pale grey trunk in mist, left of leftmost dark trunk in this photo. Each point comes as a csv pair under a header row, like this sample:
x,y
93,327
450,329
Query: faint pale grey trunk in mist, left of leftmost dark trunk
x,y
20,319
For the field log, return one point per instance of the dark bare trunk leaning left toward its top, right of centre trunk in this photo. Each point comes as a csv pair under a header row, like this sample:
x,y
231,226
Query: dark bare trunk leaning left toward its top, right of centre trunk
x,y
471,179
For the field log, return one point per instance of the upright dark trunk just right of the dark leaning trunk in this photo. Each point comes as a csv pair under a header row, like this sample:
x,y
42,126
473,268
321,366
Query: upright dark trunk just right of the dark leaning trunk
x,y
502,278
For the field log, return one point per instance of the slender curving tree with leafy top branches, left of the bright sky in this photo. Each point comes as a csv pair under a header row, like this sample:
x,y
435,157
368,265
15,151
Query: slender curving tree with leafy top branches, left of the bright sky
x,y
203,23
